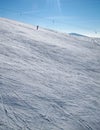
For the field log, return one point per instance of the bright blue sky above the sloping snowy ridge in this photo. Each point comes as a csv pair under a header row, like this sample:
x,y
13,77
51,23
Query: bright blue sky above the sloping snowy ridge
x,y
80,16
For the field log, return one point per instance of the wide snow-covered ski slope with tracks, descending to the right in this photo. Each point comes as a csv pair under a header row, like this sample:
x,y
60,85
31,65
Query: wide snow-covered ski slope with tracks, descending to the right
x,y
48,80
